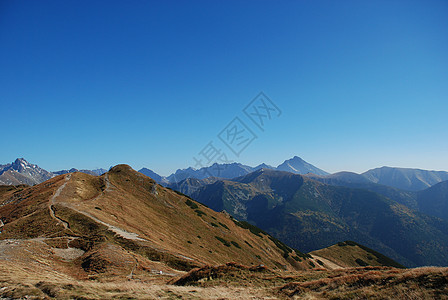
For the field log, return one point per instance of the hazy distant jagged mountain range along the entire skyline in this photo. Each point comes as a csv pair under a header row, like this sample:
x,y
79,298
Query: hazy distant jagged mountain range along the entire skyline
x,y
405,179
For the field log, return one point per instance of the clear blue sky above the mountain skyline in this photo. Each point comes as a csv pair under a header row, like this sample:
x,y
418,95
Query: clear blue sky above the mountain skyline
x,y
89,84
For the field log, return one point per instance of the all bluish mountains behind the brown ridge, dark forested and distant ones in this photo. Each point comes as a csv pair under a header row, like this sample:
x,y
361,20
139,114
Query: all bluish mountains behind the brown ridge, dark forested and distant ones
x,y
312,203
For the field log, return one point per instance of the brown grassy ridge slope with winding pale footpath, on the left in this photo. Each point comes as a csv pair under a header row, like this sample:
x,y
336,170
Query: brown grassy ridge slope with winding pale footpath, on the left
x,y
124,214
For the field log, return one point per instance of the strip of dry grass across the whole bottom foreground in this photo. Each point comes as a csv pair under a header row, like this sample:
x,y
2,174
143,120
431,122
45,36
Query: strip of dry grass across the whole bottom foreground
x,y
233,281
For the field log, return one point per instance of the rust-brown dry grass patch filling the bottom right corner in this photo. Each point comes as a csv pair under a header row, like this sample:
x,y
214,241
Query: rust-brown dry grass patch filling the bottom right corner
x,y
374,283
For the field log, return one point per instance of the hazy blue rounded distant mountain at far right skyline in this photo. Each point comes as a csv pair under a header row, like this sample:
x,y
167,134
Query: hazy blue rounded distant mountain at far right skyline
x,y
404,178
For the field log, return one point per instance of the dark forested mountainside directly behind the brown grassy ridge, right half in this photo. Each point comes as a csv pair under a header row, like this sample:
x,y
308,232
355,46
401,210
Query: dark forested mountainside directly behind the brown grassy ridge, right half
x,y
309,215
